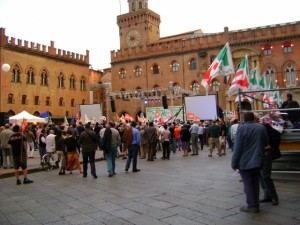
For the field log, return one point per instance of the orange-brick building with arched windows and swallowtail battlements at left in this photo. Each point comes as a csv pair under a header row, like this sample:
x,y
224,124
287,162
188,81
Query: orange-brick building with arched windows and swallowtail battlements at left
x,y
42,78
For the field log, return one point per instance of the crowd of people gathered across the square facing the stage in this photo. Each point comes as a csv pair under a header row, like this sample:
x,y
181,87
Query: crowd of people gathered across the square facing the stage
x,y
253,144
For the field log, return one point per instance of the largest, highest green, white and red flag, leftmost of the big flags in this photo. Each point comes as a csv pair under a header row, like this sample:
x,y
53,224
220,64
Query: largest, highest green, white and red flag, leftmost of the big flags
x,y
222,65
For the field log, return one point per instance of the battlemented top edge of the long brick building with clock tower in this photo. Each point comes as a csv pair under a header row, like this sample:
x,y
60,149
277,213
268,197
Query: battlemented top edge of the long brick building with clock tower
x,y
205,41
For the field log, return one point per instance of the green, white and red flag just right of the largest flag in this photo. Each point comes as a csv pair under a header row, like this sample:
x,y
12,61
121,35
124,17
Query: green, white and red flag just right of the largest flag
x,y
240,80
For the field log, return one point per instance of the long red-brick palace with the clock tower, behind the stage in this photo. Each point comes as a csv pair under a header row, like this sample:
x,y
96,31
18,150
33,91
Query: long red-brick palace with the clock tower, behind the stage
x,y
148,66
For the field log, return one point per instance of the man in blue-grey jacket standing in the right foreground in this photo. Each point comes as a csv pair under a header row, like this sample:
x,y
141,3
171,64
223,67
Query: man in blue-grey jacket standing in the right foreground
x,y
251,140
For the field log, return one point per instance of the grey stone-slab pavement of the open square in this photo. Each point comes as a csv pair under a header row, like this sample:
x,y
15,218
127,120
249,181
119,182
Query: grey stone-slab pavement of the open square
x,y
179,191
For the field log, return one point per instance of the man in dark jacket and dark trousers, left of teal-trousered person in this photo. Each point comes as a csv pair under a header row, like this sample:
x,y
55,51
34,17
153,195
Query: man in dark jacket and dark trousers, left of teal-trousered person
x,y
89,142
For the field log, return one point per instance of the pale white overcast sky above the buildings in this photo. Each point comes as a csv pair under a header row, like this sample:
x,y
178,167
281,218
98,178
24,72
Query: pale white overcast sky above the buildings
x,y
80,25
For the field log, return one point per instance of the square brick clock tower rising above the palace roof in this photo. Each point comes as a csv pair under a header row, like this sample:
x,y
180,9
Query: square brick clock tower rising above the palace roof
x,y
140,26
